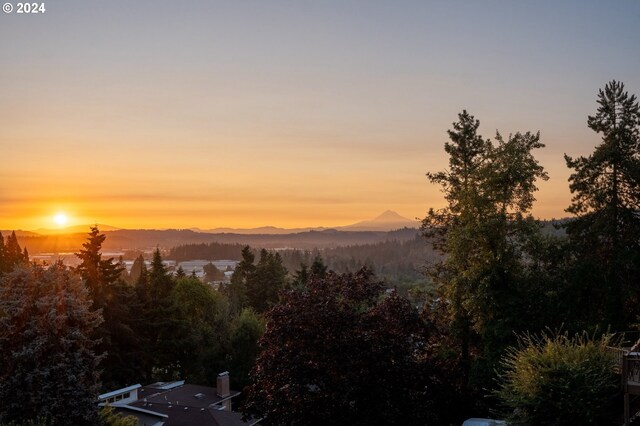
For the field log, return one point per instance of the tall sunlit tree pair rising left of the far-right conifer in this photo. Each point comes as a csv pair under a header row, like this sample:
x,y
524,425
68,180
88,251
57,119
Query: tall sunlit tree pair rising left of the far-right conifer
x,y
483,234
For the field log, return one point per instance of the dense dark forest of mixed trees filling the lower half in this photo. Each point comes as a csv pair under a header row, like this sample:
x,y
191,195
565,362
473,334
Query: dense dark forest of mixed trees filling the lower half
x,y
514,321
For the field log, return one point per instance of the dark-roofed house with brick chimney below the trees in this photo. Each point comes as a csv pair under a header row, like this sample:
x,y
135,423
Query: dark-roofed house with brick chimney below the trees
x,y
177,404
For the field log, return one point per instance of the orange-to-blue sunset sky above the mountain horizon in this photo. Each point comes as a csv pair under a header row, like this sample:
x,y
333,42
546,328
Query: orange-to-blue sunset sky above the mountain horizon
x,y
156,114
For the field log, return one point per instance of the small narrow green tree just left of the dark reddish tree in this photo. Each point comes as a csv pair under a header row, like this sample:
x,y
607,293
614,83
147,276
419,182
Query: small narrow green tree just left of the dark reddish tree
x,y
246,329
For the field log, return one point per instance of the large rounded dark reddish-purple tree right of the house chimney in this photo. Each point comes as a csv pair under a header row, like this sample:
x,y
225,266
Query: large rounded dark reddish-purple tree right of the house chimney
x,y
340,352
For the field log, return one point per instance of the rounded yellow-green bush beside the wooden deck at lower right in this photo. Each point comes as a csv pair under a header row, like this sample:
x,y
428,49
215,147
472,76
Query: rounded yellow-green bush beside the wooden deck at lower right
x,y
558,380
